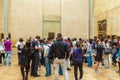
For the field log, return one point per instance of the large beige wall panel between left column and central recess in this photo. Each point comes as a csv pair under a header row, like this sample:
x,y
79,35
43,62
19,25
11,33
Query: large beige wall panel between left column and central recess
x,y
26,18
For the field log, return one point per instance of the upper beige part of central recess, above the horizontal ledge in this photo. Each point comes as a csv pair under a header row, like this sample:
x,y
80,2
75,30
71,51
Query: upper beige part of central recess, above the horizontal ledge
x,y
51,9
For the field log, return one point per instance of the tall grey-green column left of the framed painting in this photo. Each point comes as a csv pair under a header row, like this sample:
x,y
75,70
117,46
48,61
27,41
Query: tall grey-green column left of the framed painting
x,y
91,17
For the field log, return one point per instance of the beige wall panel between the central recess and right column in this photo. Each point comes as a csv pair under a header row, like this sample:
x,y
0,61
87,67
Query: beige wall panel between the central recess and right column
x,y
74,18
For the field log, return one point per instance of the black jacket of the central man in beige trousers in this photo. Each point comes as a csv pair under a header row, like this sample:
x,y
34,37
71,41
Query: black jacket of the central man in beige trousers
x,y
59,50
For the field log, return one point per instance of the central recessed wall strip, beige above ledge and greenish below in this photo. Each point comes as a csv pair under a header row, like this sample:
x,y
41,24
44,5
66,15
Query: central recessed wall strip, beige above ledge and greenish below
x,y
51,17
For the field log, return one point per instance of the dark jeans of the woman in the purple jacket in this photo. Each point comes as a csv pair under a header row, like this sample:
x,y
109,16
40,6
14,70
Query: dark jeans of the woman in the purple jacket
x,y
78,64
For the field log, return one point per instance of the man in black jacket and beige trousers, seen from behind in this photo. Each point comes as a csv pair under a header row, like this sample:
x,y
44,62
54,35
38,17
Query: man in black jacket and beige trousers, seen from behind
x,y
60,53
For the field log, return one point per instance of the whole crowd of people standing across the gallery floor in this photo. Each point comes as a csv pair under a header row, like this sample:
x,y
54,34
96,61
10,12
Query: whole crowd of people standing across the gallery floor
x,y
62,53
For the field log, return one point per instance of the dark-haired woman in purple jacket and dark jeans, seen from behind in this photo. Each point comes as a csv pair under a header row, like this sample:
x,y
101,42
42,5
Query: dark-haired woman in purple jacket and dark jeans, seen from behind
x,y
78,60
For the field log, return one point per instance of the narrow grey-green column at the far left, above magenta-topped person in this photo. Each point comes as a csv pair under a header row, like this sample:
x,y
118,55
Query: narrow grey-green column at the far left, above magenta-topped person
x,y
5,18
